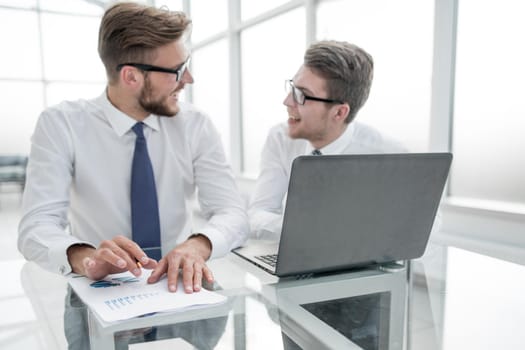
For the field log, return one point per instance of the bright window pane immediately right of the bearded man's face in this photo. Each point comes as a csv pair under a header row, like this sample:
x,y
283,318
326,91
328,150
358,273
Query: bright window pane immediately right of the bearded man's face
x,y
211,88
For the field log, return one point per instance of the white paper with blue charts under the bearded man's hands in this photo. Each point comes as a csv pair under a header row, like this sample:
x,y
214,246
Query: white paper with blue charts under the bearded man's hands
x,y
123,296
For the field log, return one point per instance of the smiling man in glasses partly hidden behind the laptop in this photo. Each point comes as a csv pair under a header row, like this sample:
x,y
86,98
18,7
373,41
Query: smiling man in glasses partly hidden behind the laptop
x,y
323,100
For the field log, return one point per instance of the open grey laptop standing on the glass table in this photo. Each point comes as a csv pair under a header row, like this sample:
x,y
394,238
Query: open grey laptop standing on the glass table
x,y
350,211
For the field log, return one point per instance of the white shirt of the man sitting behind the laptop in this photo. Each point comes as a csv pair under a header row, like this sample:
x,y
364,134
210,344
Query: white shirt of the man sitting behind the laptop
x,y
266,203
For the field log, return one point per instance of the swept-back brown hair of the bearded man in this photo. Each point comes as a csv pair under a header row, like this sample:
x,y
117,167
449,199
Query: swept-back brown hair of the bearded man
x,y
130,32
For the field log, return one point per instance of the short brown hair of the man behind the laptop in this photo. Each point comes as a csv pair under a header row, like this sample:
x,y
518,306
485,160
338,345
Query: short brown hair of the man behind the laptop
x,y
347,69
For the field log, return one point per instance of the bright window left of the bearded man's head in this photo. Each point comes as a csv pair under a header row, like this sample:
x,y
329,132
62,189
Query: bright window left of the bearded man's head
x,y
51,57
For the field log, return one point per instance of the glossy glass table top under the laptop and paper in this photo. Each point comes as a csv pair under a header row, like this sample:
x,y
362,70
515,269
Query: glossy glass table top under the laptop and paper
x,y
453,299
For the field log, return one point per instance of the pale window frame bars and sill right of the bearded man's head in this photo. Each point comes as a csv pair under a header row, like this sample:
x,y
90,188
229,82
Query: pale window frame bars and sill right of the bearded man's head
x,y
467,223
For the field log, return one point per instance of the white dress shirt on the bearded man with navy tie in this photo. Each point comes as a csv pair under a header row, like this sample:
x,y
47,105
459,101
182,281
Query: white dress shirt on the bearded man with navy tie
x,y
79,173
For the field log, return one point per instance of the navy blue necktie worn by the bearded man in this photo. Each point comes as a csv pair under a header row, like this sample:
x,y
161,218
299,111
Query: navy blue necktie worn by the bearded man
x,y
145,223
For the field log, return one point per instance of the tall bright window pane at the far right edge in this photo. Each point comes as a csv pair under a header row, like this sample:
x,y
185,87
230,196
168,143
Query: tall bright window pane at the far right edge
x,y
489,123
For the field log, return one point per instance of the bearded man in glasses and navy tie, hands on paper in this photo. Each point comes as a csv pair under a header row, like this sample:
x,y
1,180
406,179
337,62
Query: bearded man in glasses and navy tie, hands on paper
x,y
82,171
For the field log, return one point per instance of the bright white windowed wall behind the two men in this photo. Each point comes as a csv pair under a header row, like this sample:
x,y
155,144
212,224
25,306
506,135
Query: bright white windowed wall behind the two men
x,y
244,50
